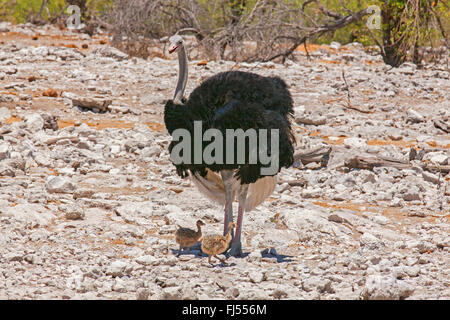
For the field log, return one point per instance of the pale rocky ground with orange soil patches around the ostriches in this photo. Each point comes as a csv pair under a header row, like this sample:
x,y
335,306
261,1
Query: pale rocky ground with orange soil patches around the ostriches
x,y
89,200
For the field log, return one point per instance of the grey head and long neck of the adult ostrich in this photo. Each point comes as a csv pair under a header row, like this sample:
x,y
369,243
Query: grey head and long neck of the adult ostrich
x,y
177,45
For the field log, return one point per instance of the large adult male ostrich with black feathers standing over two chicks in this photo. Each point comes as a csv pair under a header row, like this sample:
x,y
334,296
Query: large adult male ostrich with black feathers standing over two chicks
x,y
232,100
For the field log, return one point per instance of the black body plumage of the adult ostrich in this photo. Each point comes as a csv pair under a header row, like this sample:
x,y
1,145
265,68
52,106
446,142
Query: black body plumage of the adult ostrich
x,y
235,100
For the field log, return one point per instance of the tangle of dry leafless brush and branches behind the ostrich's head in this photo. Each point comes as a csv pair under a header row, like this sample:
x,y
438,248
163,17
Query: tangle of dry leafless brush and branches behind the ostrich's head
x,y
273,29
